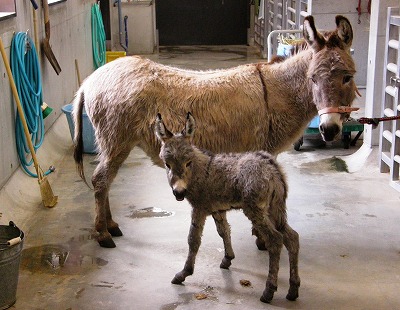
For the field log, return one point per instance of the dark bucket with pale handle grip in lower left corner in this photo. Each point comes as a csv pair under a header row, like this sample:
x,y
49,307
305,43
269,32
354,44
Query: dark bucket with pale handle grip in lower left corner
x,y
11,242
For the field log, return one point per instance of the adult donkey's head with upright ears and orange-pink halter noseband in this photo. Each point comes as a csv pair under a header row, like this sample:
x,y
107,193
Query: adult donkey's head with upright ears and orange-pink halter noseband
x,y
331,72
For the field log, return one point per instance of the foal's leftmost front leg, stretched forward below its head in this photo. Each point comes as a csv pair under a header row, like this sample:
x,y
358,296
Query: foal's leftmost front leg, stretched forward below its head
x,y
194,240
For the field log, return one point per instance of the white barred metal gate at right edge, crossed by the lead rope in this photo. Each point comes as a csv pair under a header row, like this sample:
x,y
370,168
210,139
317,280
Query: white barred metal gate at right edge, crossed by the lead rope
x,y
389,144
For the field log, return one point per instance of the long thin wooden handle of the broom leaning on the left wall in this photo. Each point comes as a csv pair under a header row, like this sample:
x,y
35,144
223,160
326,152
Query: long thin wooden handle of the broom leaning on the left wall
x,y
20,110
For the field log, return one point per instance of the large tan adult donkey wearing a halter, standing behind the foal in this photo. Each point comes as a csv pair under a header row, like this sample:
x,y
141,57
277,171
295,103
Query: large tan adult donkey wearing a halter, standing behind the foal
x,y
250,107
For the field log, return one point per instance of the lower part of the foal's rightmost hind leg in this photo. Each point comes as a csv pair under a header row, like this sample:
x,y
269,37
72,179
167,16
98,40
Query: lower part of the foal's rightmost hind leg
x,y
291,242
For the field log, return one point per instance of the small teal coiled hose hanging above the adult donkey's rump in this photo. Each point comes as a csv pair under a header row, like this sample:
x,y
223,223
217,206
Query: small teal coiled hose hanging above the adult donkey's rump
x,y
98,37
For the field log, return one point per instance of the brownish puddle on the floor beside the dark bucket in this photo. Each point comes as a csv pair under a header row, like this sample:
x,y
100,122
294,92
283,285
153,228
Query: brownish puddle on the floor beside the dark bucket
x,y
58,259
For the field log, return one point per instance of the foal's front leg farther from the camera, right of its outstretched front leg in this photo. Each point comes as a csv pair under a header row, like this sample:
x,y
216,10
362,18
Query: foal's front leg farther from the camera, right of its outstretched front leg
x,y
224,231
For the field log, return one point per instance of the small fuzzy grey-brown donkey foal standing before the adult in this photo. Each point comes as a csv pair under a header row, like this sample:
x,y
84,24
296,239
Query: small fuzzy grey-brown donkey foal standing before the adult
x,y
214,184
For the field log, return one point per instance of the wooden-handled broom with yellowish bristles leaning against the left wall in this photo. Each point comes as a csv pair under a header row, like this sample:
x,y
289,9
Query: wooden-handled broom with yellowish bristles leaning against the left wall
x,y
48,198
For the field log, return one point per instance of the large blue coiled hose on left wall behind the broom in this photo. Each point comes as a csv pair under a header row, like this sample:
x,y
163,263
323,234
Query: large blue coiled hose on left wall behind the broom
x,y
26,73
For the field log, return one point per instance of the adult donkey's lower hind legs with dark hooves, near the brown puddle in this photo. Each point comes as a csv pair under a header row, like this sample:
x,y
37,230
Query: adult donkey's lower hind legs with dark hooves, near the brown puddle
x,y
102,178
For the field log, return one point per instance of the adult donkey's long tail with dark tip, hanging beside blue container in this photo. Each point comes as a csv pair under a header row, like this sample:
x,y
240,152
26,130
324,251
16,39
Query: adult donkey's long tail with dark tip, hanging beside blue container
x,y
78,137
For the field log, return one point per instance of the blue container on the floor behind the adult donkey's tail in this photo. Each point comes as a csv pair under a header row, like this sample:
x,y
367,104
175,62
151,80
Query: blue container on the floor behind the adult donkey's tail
x,y
89,145
